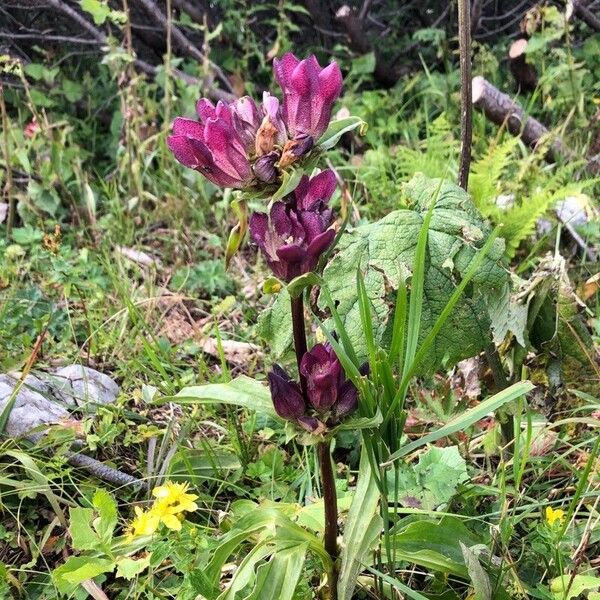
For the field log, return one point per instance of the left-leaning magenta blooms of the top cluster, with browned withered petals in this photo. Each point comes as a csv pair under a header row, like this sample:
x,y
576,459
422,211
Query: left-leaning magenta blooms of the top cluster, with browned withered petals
x,y
228,142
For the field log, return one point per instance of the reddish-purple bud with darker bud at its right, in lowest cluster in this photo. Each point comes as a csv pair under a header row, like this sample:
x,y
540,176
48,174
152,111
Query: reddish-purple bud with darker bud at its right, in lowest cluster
x,y
327,386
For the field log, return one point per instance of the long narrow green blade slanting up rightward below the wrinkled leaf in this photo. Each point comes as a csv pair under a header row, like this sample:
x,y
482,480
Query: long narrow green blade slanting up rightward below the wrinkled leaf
x,y
467,418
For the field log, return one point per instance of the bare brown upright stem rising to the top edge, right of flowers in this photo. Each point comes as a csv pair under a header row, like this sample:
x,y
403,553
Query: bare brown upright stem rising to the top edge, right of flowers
x,y
466,108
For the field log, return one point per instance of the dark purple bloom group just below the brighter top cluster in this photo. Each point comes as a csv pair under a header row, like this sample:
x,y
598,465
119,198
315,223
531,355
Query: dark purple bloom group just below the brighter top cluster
x,y
297,231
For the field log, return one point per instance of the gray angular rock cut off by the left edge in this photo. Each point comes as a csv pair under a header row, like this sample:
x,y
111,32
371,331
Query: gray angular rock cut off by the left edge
x,y
33,407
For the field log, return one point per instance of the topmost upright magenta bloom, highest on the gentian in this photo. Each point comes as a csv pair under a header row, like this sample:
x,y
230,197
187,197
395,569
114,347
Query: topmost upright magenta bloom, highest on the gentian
x,y
309,93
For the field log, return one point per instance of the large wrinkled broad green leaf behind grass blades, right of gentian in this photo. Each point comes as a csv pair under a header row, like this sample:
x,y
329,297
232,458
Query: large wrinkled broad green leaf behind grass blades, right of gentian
x,y
384,251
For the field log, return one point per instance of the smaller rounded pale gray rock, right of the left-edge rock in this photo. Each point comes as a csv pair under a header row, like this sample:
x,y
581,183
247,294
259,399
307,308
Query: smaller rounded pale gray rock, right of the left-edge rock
x,y
81,386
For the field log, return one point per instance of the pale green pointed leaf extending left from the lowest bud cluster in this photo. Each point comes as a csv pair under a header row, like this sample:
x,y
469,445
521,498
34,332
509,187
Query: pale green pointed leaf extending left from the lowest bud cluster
x,y
243,391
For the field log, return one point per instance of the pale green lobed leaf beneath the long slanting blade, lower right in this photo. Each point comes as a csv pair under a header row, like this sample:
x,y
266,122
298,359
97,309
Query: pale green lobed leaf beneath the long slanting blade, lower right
x,y
433,481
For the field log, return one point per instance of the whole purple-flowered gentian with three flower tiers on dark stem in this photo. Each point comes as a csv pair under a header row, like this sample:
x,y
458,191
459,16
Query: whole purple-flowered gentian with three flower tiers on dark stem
x,y
267,151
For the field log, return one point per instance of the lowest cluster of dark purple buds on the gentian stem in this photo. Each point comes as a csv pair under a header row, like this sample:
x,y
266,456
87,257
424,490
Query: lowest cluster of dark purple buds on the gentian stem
x,y
331,396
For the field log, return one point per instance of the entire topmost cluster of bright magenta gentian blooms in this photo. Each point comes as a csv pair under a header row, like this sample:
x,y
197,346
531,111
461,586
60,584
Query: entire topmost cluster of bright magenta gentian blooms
x,y
241,145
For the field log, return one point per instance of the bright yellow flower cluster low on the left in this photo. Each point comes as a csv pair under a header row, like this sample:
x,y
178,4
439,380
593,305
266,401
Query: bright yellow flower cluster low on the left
x,y
169,508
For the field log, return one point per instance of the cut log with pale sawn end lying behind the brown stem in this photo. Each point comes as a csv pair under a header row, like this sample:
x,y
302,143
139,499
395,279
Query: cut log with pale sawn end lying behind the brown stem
x,y
500,108
